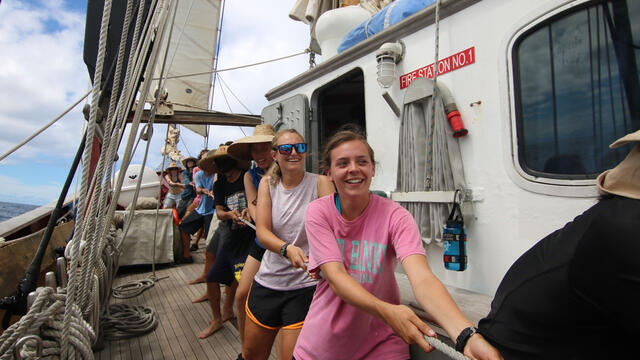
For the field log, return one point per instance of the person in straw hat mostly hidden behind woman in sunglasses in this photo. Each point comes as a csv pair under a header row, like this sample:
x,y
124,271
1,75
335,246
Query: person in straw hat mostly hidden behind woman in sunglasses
x,y
256,147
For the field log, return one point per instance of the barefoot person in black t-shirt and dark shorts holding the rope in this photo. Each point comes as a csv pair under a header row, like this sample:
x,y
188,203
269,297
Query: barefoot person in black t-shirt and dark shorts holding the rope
x,y
231,209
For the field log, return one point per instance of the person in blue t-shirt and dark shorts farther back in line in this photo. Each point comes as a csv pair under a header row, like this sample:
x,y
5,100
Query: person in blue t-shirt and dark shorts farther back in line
x,y
202,215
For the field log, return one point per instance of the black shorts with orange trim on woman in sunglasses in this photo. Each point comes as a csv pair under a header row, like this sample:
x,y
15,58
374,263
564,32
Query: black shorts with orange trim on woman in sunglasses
x,y
275,309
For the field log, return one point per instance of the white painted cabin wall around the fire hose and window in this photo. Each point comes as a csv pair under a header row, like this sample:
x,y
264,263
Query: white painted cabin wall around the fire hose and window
x,y
511,214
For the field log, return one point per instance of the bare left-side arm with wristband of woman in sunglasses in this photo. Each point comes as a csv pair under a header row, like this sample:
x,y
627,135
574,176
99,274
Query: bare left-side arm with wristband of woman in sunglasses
x,y
264,230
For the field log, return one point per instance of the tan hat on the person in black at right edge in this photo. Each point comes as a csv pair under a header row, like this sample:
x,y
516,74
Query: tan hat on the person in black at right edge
x,y
624,179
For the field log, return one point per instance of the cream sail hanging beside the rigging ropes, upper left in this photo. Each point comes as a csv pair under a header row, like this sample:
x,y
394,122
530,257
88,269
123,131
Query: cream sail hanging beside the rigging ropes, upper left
x,y
191,50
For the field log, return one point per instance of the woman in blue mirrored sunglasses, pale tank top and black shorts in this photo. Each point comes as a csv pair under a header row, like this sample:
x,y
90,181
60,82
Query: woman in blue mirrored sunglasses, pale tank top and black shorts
x,y
282,289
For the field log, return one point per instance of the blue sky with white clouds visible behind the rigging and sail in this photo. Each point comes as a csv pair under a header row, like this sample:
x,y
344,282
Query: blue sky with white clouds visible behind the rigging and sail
x,y
42,74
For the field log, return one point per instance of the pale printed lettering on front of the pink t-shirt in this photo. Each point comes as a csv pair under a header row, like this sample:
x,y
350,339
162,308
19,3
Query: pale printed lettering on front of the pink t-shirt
x,y
364,260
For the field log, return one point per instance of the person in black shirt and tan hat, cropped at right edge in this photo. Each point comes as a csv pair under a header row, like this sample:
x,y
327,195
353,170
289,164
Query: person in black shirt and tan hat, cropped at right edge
x,y
575,294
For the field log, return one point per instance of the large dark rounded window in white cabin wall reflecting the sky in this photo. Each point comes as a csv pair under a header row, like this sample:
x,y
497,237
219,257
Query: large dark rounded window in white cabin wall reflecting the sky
x,y
577,89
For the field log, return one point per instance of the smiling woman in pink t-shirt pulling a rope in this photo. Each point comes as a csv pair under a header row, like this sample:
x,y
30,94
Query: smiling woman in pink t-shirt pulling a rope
x,y
356,239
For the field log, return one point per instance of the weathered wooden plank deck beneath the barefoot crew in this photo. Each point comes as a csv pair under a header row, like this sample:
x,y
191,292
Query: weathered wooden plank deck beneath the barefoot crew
x,y
179,320
